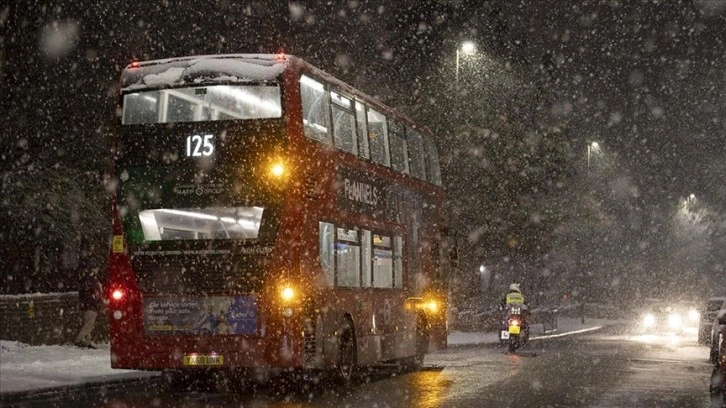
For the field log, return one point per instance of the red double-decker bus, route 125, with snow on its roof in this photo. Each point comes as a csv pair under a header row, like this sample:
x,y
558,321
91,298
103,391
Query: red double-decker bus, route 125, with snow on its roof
x,y
268,216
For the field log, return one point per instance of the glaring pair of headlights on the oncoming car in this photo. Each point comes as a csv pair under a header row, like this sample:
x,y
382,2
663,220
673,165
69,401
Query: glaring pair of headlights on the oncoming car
x,y
669,317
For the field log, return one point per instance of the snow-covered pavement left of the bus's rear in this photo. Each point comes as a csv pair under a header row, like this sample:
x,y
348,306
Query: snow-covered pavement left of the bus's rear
x,y
29,368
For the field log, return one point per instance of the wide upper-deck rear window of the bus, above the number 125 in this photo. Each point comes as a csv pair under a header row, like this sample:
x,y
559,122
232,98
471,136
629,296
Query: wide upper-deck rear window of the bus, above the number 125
x,y
201,104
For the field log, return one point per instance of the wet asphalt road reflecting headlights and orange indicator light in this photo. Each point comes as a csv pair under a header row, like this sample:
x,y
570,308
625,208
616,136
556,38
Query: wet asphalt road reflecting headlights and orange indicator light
x,y
609,368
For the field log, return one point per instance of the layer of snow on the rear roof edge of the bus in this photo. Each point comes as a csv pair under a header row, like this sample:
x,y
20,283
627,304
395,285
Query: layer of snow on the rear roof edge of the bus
x,y
205,68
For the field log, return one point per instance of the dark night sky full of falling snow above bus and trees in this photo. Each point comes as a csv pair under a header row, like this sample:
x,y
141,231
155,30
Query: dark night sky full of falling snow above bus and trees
x,y
643,78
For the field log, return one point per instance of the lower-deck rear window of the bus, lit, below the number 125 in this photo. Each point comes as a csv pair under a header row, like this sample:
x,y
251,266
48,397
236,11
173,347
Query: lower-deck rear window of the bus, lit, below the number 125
x,y
201,223
